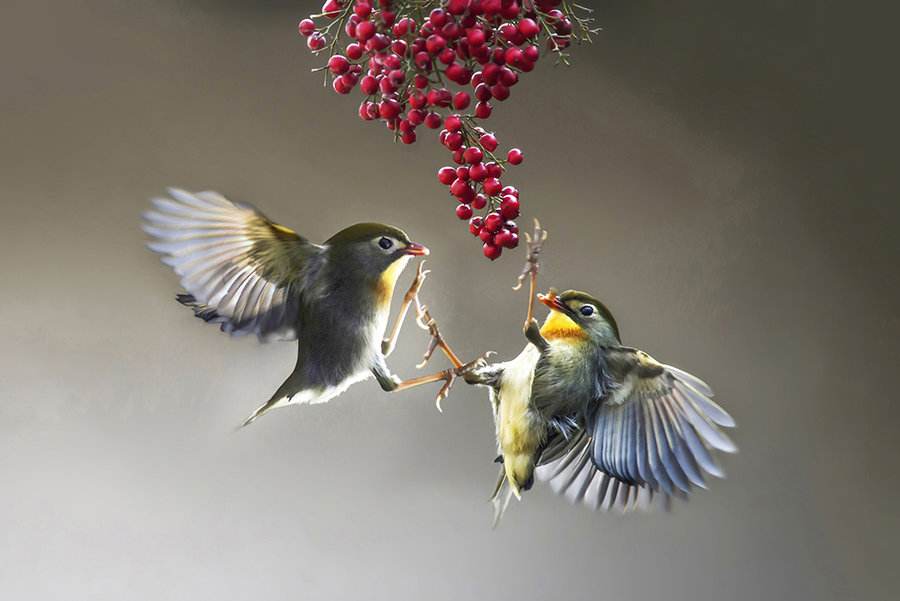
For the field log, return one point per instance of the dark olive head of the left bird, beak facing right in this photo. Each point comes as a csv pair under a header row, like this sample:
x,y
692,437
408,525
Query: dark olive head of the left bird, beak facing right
x,y
375,252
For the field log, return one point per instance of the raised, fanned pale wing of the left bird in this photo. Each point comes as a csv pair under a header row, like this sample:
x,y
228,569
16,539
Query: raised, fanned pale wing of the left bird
x,y
240,269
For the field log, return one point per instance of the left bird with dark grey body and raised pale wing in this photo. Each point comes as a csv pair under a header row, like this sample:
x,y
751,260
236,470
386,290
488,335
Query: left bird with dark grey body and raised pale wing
x,y
253,276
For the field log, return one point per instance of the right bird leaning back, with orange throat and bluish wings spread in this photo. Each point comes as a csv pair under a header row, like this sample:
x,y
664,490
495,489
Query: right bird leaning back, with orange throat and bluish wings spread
x,y
603,423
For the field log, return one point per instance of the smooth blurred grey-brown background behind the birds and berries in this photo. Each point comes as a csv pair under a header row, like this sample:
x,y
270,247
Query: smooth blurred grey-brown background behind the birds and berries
x,y
722,174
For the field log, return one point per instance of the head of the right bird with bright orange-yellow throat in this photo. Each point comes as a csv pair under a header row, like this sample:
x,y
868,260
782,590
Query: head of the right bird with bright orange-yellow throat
x,y
579,316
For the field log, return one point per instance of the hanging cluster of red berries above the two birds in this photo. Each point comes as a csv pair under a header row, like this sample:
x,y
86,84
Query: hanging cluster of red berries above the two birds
x,y
406,55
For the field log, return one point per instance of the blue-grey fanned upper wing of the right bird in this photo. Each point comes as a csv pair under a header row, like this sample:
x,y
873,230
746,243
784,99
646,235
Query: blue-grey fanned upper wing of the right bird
x,y
656,425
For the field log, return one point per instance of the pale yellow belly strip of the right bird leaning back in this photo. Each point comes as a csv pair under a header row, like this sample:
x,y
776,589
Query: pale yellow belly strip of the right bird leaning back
x,y
518,425
